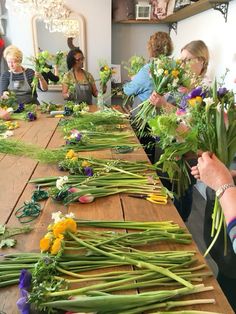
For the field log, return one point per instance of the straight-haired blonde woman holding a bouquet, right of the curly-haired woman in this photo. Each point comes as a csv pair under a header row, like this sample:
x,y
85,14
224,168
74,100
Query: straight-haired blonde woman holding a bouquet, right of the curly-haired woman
x,y
195,56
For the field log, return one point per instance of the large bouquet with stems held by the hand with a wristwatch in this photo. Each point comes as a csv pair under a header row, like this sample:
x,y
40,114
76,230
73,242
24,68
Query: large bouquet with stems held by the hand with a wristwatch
x,y
205,121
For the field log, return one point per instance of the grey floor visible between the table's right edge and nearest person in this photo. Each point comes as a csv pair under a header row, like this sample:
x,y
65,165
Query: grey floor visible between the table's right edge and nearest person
x,y
195,224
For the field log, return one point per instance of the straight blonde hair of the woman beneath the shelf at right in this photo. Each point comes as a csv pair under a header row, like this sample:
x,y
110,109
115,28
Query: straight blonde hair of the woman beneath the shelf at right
x,y
199,50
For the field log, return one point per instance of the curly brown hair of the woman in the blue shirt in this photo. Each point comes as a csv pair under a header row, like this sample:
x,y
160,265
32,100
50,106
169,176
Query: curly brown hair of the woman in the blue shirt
x,y
160,43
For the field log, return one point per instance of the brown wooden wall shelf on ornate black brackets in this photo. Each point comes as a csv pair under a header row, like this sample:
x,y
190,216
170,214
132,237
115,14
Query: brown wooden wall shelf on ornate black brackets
x,y
190,10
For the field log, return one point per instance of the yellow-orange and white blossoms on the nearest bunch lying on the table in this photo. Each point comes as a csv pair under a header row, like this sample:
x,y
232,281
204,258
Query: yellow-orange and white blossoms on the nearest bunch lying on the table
x,y
53,240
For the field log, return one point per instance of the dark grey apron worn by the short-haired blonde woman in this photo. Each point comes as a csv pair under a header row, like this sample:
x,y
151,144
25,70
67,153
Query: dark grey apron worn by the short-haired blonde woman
x,y
22,89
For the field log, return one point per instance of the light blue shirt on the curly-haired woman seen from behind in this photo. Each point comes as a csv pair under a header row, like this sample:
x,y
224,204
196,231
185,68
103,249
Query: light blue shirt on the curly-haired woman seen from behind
x,y
141,85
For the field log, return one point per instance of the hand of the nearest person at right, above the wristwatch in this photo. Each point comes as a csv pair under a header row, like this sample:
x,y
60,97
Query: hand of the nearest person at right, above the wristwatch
x,y
211,171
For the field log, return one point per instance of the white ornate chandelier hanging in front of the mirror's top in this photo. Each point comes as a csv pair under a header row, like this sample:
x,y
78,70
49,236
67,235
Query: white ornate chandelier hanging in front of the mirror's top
x,y
54,13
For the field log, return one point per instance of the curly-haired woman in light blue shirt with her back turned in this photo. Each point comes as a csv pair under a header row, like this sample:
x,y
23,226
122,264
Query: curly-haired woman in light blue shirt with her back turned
x,y
142,86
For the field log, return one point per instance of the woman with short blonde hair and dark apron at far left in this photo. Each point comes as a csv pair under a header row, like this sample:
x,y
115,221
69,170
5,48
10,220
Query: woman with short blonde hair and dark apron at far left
x,y
19,79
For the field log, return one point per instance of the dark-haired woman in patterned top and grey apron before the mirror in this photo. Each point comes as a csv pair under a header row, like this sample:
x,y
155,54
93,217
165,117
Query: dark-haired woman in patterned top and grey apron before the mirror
x,y
77,84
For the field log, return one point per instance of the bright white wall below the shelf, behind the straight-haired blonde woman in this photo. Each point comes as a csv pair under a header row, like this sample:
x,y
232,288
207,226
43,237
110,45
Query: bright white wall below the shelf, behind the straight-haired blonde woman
x,y
219,36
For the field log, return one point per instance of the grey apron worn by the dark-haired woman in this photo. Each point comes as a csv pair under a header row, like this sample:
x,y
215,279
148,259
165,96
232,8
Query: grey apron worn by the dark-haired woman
x,y
83,92
